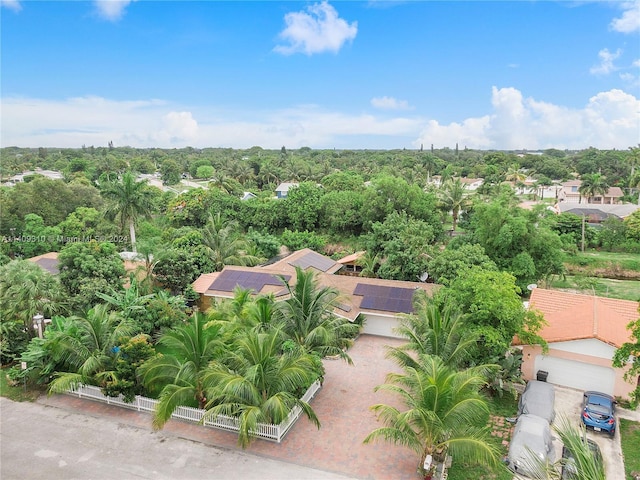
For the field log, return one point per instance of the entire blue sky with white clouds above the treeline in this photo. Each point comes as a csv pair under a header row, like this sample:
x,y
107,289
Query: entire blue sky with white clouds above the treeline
x,y
340,74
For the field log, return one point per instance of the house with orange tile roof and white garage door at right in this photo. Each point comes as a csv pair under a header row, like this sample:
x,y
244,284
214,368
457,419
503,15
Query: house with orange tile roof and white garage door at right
x,y
583,333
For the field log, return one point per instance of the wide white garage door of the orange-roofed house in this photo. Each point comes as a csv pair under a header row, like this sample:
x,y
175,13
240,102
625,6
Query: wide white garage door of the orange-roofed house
x,y
580,375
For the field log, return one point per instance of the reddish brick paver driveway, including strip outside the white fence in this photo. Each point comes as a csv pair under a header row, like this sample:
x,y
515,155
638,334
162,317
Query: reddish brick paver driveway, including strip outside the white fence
x,y
342,406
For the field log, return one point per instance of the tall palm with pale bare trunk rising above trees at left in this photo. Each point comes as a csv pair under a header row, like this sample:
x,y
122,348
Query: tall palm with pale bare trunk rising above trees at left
x,y
128,200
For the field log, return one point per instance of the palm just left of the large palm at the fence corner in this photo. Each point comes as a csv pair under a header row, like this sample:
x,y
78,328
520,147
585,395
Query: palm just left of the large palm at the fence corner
x,y
178,373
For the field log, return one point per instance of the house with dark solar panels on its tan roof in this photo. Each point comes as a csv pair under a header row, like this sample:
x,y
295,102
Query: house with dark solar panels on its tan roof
x,y
379,301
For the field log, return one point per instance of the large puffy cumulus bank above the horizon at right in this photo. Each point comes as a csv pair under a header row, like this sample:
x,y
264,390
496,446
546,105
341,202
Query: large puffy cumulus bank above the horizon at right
x,y
609,120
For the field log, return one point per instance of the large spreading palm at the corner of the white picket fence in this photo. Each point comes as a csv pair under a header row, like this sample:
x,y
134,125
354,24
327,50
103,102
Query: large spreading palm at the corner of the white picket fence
x,y
259,383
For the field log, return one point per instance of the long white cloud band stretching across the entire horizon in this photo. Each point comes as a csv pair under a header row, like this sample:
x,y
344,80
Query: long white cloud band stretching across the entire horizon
x,y
607,120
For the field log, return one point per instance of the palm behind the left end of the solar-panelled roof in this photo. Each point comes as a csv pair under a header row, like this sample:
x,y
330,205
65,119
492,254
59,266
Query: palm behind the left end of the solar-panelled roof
x,y
224,245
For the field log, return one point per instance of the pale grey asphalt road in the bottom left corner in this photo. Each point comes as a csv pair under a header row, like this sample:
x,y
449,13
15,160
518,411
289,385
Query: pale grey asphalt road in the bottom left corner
x,y
43,442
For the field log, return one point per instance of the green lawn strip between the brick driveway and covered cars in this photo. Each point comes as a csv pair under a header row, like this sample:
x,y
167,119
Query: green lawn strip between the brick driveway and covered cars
x,y
500,408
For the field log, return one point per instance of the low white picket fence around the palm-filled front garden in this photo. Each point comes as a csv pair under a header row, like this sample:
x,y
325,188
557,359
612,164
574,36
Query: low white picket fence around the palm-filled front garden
x,y
143,404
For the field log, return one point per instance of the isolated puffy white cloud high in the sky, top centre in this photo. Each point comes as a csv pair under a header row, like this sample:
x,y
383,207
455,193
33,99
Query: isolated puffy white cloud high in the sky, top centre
x,y
317,30
